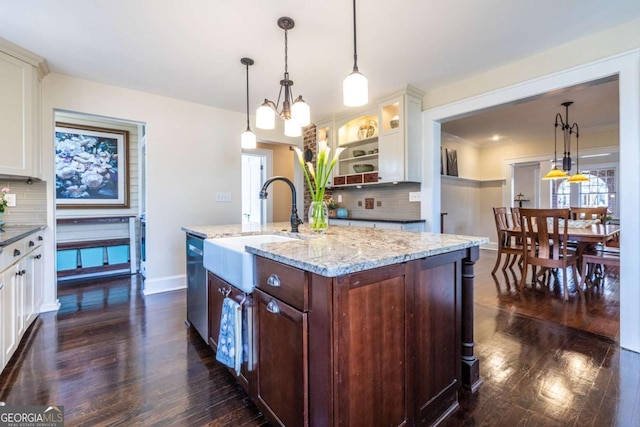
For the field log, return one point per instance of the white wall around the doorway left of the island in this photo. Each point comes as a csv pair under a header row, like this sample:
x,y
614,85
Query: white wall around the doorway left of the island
x,y
193,151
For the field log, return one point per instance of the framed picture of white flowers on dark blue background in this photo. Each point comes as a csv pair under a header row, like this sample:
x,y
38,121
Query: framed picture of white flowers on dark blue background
x,y
92,169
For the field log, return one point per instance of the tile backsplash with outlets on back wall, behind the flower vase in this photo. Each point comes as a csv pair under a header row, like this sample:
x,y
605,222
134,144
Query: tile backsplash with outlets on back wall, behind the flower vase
x,y
379,202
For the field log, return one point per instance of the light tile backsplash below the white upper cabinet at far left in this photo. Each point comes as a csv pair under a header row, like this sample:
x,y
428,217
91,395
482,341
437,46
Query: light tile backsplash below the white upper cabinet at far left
x,y
31,202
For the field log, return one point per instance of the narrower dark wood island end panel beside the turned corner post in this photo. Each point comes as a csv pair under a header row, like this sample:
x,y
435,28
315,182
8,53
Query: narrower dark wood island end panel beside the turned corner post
x,y
436,325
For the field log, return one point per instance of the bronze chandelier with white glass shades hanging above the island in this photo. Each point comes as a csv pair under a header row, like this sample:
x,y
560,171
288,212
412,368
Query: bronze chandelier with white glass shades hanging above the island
x,y
295,113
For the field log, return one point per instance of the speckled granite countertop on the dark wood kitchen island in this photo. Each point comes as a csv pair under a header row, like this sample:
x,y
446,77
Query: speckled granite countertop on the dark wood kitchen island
x,y
343,250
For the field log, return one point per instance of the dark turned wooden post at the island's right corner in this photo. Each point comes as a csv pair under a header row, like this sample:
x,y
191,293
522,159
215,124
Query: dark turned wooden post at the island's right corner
x,y
470,363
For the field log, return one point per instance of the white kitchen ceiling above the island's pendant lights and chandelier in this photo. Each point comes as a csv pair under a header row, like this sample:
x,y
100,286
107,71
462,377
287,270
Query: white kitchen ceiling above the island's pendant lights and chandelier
x,y
191,49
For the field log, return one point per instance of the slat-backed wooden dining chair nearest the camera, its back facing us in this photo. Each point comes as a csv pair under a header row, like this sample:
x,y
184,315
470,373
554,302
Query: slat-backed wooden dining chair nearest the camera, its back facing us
x,y
548,235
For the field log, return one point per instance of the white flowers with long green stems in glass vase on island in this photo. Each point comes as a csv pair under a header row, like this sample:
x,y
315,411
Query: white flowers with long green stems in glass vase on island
x,y
317,182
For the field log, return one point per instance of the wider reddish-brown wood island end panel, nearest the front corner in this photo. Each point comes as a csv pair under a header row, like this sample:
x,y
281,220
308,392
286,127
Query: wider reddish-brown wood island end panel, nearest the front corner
x,y
372,382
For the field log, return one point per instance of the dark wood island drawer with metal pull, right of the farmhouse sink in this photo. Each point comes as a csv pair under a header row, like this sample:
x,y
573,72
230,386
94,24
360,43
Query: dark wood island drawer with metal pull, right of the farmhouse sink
x,y
285,283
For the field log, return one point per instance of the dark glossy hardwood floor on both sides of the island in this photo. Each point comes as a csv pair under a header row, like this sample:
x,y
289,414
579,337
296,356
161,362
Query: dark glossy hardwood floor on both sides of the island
x,y
113,357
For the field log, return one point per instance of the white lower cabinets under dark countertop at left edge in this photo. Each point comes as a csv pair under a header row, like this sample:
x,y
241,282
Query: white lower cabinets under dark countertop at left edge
x,y
21,293
